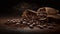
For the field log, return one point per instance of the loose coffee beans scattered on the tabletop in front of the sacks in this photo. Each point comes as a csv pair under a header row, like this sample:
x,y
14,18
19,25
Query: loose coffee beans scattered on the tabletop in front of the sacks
x,y
31,24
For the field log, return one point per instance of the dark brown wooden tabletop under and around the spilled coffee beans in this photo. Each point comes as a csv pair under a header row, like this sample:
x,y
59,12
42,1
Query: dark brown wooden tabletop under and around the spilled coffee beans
x,y
26,30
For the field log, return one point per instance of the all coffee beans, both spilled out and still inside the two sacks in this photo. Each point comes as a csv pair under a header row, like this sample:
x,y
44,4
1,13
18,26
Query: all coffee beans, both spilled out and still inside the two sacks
x,y
30,19
